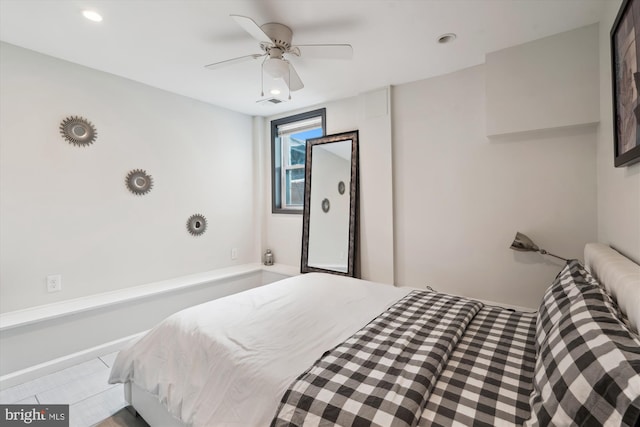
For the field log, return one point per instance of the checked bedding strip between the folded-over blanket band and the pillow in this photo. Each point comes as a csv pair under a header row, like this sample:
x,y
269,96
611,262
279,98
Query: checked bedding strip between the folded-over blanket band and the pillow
x,y
487,381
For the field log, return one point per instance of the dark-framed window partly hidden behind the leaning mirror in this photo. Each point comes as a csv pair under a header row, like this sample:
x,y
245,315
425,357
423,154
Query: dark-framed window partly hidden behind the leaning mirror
x,y
288,147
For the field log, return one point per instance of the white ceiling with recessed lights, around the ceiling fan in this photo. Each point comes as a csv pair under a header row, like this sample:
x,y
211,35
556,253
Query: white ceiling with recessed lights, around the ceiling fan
x,y
166,43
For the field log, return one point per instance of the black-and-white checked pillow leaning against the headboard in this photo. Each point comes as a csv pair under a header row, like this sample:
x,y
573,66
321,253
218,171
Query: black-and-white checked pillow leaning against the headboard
x,y
588,362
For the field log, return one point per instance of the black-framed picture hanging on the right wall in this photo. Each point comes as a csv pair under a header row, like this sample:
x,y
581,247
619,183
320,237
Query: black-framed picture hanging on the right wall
x,y
625,61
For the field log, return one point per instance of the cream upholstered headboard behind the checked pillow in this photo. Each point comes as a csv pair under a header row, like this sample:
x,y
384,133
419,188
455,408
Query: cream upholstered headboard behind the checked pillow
x,y
619,275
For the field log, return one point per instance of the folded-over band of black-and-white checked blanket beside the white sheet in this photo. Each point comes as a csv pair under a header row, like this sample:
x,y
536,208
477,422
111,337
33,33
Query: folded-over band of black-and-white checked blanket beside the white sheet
x,y
384,373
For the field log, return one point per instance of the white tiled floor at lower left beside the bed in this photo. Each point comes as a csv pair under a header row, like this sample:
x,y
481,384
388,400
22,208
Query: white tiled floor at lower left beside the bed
x,y
84,387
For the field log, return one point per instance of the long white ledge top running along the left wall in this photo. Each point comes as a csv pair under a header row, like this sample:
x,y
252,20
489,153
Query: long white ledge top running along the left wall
x,y
18,318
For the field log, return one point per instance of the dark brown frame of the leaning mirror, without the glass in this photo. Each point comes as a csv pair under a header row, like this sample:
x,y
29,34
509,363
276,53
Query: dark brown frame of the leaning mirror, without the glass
x,y
353,202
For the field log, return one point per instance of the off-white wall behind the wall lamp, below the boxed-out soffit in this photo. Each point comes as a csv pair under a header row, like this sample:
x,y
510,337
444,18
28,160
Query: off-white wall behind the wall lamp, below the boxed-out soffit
x,y
460,197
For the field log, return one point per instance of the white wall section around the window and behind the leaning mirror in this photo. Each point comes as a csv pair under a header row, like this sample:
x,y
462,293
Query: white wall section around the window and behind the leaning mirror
x,y
370,114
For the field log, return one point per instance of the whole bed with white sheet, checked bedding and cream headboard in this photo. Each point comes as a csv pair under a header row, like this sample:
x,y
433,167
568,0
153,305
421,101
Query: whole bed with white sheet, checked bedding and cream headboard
x,y
326,350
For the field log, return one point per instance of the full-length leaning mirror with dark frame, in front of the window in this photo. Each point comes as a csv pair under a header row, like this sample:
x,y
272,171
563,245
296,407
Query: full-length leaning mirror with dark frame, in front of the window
x,y
330,204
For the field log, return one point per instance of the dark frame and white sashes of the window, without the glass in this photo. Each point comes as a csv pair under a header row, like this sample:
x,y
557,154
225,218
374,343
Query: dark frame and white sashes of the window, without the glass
x,y
277,184
